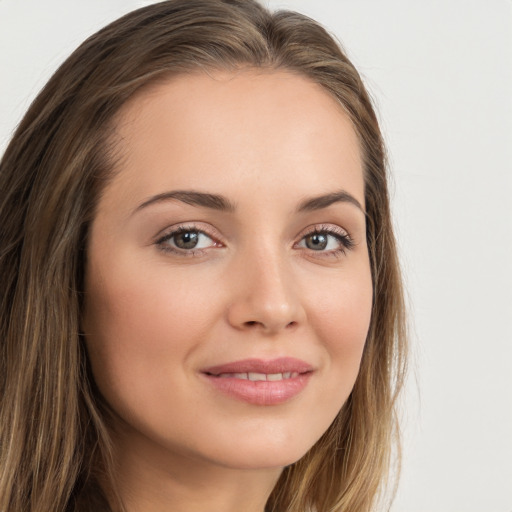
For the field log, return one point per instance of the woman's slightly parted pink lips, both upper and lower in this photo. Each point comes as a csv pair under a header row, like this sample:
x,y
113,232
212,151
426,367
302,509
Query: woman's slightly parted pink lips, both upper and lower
x,y
260,382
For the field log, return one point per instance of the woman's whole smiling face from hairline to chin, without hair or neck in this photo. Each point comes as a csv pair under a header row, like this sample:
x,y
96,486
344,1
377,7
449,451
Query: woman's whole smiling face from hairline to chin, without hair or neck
x,y
228,287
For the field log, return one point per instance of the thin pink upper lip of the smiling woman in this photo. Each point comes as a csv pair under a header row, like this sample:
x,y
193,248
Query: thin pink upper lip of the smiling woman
x,y
279,365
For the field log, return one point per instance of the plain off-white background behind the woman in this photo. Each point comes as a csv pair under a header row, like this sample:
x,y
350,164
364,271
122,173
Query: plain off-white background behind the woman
x,y
441,76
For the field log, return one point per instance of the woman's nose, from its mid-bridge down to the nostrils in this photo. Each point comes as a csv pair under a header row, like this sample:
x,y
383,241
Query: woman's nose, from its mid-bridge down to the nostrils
x,y
265,297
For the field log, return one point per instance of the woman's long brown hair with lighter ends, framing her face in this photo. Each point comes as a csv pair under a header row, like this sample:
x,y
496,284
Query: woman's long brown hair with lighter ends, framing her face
x,y
54,445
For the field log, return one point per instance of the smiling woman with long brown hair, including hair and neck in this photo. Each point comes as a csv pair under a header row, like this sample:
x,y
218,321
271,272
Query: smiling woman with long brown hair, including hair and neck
x,y
202,304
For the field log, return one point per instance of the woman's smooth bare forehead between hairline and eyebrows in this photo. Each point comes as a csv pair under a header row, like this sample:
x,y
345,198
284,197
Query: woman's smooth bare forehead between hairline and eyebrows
x,y
256,128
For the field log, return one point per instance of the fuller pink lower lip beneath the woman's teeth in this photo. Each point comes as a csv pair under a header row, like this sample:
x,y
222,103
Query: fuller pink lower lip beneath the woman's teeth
x,y
262,392
